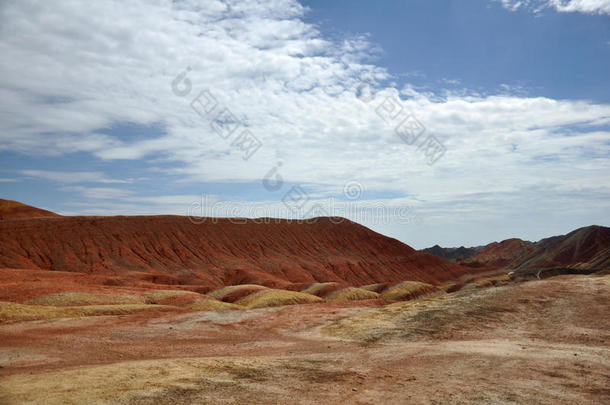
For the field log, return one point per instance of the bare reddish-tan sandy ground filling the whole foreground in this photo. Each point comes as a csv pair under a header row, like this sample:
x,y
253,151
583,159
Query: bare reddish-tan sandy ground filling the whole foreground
x,y
539,342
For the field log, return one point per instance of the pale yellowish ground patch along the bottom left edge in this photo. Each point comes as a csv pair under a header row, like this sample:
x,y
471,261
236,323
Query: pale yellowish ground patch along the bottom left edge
x,y
212,380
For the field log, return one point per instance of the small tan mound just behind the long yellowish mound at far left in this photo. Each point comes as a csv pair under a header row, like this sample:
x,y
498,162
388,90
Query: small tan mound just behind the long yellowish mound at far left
x,y
84,298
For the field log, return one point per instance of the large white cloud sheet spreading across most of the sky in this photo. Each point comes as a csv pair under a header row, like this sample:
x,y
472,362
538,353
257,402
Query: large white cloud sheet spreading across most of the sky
x,y
70,68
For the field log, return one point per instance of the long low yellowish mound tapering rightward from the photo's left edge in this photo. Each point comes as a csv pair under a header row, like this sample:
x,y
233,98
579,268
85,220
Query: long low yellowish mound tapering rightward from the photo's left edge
x,y
12,312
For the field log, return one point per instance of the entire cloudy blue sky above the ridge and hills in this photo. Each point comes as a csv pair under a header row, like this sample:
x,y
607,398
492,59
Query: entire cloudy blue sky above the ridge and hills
x,y
510,100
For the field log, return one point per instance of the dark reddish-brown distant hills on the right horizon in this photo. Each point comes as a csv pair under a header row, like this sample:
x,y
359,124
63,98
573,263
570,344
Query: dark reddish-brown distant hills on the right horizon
x,y
584,248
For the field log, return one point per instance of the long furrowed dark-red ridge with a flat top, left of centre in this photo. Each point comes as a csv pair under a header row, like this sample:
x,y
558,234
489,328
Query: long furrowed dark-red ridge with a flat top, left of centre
x,y
128,251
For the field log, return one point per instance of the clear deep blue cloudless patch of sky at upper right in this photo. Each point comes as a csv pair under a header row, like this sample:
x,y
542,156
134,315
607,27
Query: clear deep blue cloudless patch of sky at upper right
x,y
479,44
